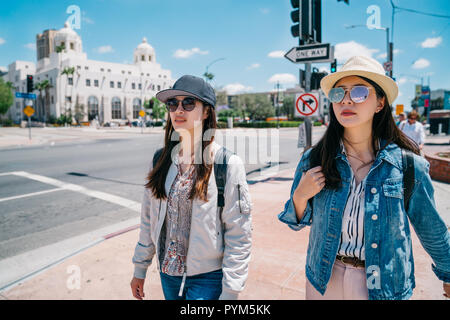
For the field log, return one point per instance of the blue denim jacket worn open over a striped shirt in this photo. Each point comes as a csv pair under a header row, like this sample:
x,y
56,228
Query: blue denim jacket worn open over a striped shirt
x,y
389,260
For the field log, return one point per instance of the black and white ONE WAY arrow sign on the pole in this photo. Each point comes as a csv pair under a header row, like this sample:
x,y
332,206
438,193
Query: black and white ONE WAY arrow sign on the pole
x,y
311,53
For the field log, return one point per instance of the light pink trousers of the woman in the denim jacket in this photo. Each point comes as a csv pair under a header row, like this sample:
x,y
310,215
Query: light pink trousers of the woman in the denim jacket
x,y
346,283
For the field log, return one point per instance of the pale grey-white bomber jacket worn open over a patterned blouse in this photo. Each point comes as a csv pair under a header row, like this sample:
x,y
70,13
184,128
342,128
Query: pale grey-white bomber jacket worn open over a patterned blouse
x,y
215,242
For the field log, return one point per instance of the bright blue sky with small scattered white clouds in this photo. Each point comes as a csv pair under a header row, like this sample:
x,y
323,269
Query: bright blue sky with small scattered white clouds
x,y
250,35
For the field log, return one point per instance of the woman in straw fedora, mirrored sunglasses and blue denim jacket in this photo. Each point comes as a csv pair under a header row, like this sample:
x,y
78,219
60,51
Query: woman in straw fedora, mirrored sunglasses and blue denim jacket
x,y
352,188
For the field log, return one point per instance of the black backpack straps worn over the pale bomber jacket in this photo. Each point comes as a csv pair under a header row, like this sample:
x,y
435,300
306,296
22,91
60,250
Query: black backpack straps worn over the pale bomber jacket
x,y
220,171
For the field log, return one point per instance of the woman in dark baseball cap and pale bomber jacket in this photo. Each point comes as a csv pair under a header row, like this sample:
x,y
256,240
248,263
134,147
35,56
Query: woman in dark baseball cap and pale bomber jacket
x,y
199,232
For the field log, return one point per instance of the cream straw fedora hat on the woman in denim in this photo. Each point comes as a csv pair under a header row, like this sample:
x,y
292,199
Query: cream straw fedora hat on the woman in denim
x,y
365,67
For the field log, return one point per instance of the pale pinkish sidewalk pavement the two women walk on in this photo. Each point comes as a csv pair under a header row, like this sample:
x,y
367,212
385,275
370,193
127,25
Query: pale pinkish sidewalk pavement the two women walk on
x,y
277,267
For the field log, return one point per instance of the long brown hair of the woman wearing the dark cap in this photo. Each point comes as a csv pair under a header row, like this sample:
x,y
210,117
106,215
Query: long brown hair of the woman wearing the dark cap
x,y
157,176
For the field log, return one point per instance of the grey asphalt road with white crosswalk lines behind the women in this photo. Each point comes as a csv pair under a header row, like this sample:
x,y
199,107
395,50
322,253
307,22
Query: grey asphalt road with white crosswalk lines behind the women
x,y
53,197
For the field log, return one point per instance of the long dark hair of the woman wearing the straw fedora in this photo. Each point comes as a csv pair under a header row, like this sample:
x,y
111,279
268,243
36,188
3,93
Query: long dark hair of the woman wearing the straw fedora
x,y
383,127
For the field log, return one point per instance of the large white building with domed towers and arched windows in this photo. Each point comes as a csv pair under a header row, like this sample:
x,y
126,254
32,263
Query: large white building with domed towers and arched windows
x,y
113,92
